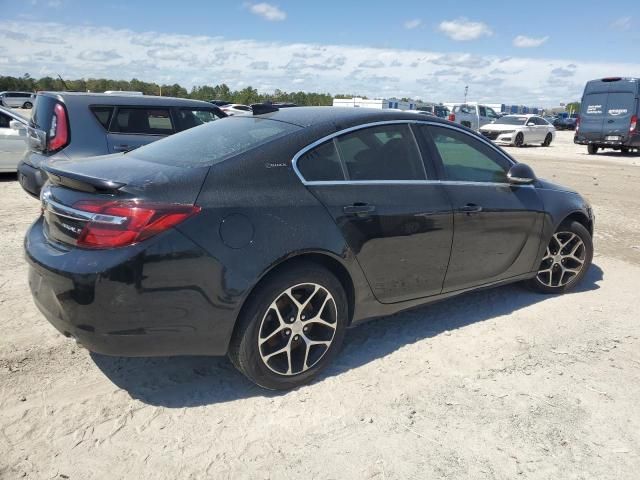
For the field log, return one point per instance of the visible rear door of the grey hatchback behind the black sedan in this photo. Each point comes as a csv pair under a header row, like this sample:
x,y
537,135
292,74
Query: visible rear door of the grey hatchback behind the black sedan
x,y
134,126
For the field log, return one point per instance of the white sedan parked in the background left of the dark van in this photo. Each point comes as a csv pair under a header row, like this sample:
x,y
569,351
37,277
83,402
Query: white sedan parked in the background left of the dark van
x,y
520,130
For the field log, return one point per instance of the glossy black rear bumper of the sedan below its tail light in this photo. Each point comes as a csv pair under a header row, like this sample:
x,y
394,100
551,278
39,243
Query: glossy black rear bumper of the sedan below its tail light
x,y
157,298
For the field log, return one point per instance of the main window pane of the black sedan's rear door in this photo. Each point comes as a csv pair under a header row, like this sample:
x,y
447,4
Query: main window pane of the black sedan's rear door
x,y
386,152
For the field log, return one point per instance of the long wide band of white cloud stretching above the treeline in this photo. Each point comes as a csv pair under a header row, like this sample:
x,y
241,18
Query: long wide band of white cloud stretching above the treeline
x,y
197,59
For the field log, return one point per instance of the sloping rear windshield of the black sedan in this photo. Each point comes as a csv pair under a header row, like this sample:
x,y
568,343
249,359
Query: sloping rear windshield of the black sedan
x,y
214,142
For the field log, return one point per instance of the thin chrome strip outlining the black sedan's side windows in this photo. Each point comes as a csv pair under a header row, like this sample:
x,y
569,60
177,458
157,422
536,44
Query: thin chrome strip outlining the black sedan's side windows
x,y
294,161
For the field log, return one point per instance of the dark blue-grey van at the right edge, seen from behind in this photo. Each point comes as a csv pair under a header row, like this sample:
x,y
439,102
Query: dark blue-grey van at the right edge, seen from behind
x,y
609,115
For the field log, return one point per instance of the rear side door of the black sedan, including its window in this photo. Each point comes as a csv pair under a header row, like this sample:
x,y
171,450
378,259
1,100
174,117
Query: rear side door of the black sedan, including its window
x,y
396,221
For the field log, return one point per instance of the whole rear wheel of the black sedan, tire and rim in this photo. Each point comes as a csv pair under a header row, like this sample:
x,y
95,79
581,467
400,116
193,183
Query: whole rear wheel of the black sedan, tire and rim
x,y
291,328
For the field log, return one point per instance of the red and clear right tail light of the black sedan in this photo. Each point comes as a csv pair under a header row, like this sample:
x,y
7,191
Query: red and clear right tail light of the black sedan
x,y
121,223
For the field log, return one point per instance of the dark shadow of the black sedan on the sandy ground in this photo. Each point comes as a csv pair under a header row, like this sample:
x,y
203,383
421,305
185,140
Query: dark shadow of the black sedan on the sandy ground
x,y
179,382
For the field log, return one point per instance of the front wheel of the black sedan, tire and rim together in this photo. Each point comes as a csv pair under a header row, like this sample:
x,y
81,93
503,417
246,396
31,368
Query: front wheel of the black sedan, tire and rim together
x,y
566,259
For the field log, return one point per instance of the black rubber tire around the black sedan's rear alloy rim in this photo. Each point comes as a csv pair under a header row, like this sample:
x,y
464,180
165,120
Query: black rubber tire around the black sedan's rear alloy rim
x,y
244,351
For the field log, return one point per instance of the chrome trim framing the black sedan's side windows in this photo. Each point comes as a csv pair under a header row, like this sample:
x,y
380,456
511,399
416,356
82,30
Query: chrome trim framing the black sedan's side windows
x,y
296,157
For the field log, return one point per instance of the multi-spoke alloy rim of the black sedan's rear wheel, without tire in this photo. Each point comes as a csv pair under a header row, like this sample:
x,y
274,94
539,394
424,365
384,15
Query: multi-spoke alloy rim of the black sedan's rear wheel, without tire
x,y
297,329
